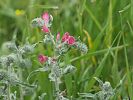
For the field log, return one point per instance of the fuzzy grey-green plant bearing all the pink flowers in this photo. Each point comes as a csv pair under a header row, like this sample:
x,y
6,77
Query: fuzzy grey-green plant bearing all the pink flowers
x,y
61,45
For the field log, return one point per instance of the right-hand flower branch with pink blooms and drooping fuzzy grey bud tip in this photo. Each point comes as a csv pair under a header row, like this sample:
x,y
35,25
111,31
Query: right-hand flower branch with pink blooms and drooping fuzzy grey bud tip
x,y
67,41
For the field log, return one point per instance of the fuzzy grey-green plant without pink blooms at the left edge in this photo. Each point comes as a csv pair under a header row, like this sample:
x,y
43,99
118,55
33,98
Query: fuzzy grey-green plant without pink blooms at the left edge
x,y
10,69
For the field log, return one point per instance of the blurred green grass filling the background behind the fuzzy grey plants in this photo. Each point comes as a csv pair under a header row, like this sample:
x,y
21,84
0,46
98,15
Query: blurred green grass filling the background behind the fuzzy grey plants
x,y
106,26
